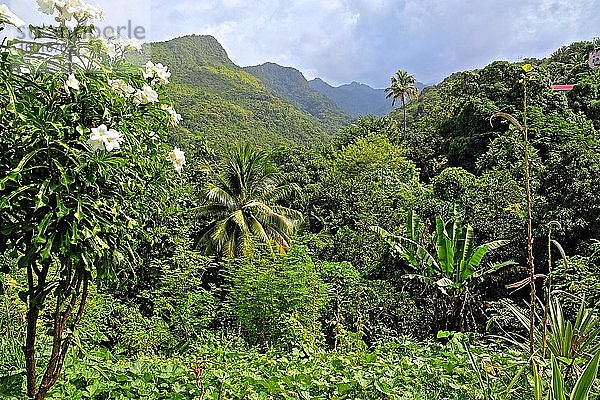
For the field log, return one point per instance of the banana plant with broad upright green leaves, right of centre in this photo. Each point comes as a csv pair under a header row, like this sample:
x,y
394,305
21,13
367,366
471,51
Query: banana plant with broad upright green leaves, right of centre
x,y
446,258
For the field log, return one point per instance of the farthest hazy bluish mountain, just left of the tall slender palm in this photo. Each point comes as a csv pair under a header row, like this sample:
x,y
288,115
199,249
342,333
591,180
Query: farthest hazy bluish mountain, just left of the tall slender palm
x,y
355,98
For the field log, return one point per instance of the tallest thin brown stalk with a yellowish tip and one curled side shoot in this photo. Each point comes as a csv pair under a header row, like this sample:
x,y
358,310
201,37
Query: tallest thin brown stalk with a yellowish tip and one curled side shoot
x,y
525,78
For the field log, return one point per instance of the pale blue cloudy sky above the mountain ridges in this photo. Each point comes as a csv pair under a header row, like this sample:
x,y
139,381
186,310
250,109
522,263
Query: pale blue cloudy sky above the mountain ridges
x,y
342,41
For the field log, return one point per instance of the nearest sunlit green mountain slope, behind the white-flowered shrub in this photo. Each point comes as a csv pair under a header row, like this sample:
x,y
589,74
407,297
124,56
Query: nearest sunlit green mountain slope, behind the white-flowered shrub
x,y
225,104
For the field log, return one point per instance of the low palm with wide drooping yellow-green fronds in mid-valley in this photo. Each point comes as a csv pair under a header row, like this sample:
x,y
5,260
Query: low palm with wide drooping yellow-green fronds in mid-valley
x,y
241,203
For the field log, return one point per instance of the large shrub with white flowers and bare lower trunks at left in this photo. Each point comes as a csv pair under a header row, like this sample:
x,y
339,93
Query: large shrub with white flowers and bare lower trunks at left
x,y
84,161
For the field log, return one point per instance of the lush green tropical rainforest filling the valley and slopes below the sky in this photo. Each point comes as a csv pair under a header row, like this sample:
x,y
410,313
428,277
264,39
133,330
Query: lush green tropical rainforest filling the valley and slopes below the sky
x,y
173,226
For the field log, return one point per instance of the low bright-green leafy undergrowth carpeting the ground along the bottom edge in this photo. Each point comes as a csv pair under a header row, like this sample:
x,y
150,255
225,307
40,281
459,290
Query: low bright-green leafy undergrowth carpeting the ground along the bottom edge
x,y
406,370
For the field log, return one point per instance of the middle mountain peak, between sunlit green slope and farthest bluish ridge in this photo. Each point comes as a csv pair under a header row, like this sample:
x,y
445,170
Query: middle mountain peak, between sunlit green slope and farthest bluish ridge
x,y
289,84
